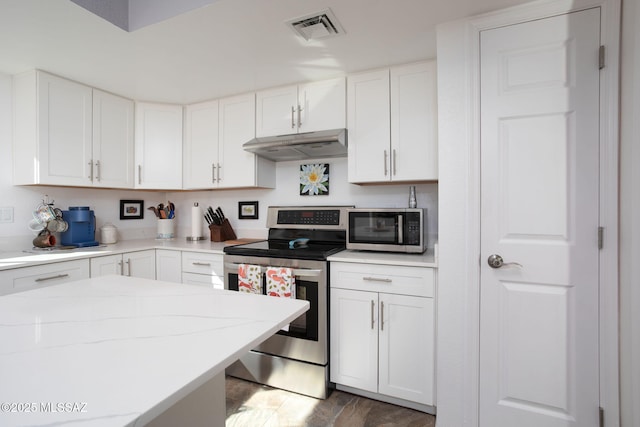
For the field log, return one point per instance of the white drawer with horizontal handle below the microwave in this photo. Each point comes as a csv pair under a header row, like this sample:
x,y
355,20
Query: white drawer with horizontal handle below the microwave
x,y
403,280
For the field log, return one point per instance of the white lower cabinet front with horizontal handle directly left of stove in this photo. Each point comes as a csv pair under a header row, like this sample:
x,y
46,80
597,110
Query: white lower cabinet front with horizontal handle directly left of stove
x,y
200,268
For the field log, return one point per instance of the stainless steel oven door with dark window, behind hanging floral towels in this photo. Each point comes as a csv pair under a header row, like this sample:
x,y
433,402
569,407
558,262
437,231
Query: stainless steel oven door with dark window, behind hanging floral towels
x,y
306,337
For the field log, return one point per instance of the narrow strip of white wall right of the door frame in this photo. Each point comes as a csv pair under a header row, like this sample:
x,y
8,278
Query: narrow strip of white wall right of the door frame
x,y
630,217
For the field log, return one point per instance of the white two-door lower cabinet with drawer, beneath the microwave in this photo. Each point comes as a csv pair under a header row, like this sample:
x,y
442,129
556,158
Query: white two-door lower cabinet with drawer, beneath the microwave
x,y
382,330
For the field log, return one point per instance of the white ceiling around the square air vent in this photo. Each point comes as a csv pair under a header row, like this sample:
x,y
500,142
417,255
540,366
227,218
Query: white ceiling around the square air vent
x,y
224,48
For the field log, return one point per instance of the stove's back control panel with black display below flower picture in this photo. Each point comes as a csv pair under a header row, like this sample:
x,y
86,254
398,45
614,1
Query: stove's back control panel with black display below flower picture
x,y
307,217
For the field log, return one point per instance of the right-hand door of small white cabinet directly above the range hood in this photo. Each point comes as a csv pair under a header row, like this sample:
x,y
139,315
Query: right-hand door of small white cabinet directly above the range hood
x,y
323,105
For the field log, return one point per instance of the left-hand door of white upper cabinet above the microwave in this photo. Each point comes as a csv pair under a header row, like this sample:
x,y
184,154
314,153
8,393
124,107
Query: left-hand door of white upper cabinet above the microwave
x,y
369,127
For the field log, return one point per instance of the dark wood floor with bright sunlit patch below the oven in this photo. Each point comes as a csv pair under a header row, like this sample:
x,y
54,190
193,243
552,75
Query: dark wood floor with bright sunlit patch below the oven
x,y
255,405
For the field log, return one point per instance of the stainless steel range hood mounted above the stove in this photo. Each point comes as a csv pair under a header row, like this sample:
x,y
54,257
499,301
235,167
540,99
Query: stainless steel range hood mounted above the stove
x,y
301,146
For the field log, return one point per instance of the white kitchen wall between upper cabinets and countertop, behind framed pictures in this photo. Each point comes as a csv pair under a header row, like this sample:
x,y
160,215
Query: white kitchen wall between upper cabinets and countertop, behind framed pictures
x,y
106,204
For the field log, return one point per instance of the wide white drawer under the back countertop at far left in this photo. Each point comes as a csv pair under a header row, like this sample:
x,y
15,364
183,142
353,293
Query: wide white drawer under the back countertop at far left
x,y
27,278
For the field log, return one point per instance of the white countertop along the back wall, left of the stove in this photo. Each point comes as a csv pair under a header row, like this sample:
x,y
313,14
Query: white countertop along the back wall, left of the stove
x,y
30,257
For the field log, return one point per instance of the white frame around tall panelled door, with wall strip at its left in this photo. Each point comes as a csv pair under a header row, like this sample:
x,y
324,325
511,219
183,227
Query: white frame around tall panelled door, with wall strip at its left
x,y
459,308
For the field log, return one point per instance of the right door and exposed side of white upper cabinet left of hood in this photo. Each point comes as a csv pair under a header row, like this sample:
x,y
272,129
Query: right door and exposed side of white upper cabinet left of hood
x,y
237,167
